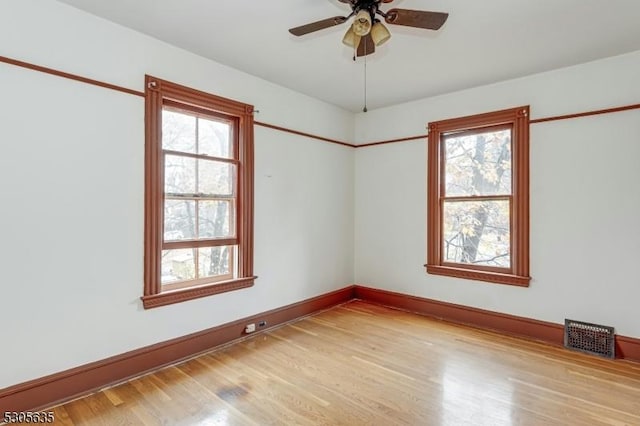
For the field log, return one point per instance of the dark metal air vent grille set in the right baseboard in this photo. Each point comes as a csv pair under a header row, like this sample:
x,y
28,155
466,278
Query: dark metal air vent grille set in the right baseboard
x,y
590,338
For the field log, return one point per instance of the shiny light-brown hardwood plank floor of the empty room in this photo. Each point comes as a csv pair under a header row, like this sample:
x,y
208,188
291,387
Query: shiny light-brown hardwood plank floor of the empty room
x,y
363,364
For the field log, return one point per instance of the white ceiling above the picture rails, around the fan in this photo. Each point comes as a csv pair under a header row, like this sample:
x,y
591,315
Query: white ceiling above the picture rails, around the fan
x,y
484,41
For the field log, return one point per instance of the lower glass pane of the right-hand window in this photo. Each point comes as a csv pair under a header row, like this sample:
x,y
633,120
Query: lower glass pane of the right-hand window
x,y
477,232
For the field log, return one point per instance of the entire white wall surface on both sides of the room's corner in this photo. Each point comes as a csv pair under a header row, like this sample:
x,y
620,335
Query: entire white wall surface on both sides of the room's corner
x,y
71,181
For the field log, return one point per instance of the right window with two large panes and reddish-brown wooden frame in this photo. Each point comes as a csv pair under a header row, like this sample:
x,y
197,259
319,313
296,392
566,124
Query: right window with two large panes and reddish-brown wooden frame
x,y
478,197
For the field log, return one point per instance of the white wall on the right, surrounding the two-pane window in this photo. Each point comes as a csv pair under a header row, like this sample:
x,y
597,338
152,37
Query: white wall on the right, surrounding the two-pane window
x,y
585,197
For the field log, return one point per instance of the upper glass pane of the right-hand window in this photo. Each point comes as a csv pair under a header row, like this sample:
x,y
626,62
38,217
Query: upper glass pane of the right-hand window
x,y
478,164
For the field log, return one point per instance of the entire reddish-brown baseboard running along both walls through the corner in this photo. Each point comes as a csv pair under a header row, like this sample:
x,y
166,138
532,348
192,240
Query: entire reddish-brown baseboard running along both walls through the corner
x,y
64,386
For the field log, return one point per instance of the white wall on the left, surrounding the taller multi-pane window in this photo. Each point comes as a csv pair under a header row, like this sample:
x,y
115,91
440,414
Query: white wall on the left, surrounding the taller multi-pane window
x,y
71,186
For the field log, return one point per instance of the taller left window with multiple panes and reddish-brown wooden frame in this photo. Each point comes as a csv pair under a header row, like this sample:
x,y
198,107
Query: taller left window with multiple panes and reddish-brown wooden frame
x,y
198,194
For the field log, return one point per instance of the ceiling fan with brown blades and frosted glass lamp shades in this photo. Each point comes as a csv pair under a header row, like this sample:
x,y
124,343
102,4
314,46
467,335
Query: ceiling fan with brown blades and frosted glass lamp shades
x,y
367,31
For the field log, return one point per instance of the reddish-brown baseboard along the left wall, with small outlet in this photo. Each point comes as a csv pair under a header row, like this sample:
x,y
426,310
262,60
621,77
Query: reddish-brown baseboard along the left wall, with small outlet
x,y
66,385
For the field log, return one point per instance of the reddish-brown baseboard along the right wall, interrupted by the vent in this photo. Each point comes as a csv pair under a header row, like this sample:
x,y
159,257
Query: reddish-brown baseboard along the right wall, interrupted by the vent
x,y
626,347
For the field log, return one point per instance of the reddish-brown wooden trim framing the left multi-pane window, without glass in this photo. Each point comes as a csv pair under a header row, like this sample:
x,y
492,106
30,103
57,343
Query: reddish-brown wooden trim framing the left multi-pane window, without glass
x,y
158,93
